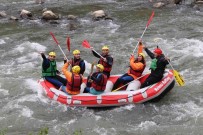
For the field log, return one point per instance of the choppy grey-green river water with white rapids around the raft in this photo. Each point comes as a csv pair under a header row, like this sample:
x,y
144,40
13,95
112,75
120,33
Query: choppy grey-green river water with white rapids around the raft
x,y
25,109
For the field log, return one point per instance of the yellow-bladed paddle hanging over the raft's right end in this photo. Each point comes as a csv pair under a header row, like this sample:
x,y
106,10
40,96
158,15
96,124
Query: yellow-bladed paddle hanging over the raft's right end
x,y
179,79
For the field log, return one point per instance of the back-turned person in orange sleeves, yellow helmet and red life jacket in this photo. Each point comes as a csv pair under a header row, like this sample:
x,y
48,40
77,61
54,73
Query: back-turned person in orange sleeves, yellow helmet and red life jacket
x,y
74,79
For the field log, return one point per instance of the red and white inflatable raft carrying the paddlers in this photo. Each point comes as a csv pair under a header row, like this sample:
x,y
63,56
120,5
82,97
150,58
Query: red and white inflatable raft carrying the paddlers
x,y
128,95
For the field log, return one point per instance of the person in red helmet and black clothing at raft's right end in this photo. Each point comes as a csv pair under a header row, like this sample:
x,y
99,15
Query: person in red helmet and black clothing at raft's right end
x,y
157,67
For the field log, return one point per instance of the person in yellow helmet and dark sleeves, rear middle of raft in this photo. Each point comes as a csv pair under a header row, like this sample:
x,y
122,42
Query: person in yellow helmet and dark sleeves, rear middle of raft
x,y
106,61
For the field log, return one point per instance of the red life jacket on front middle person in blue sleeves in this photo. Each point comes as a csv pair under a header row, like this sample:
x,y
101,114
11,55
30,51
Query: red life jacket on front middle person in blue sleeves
x,y
102,84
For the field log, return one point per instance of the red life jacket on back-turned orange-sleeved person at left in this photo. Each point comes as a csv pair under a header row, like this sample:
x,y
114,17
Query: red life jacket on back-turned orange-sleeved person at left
x,y
73,87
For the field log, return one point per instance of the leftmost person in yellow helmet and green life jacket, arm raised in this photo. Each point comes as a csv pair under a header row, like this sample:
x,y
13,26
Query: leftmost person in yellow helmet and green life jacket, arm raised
x,y
50,72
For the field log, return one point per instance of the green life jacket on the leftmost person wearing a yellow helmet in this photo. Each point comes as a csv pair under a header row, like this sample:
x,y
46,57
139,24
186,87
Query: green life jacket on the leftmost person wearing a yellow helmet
x,y
51,70
